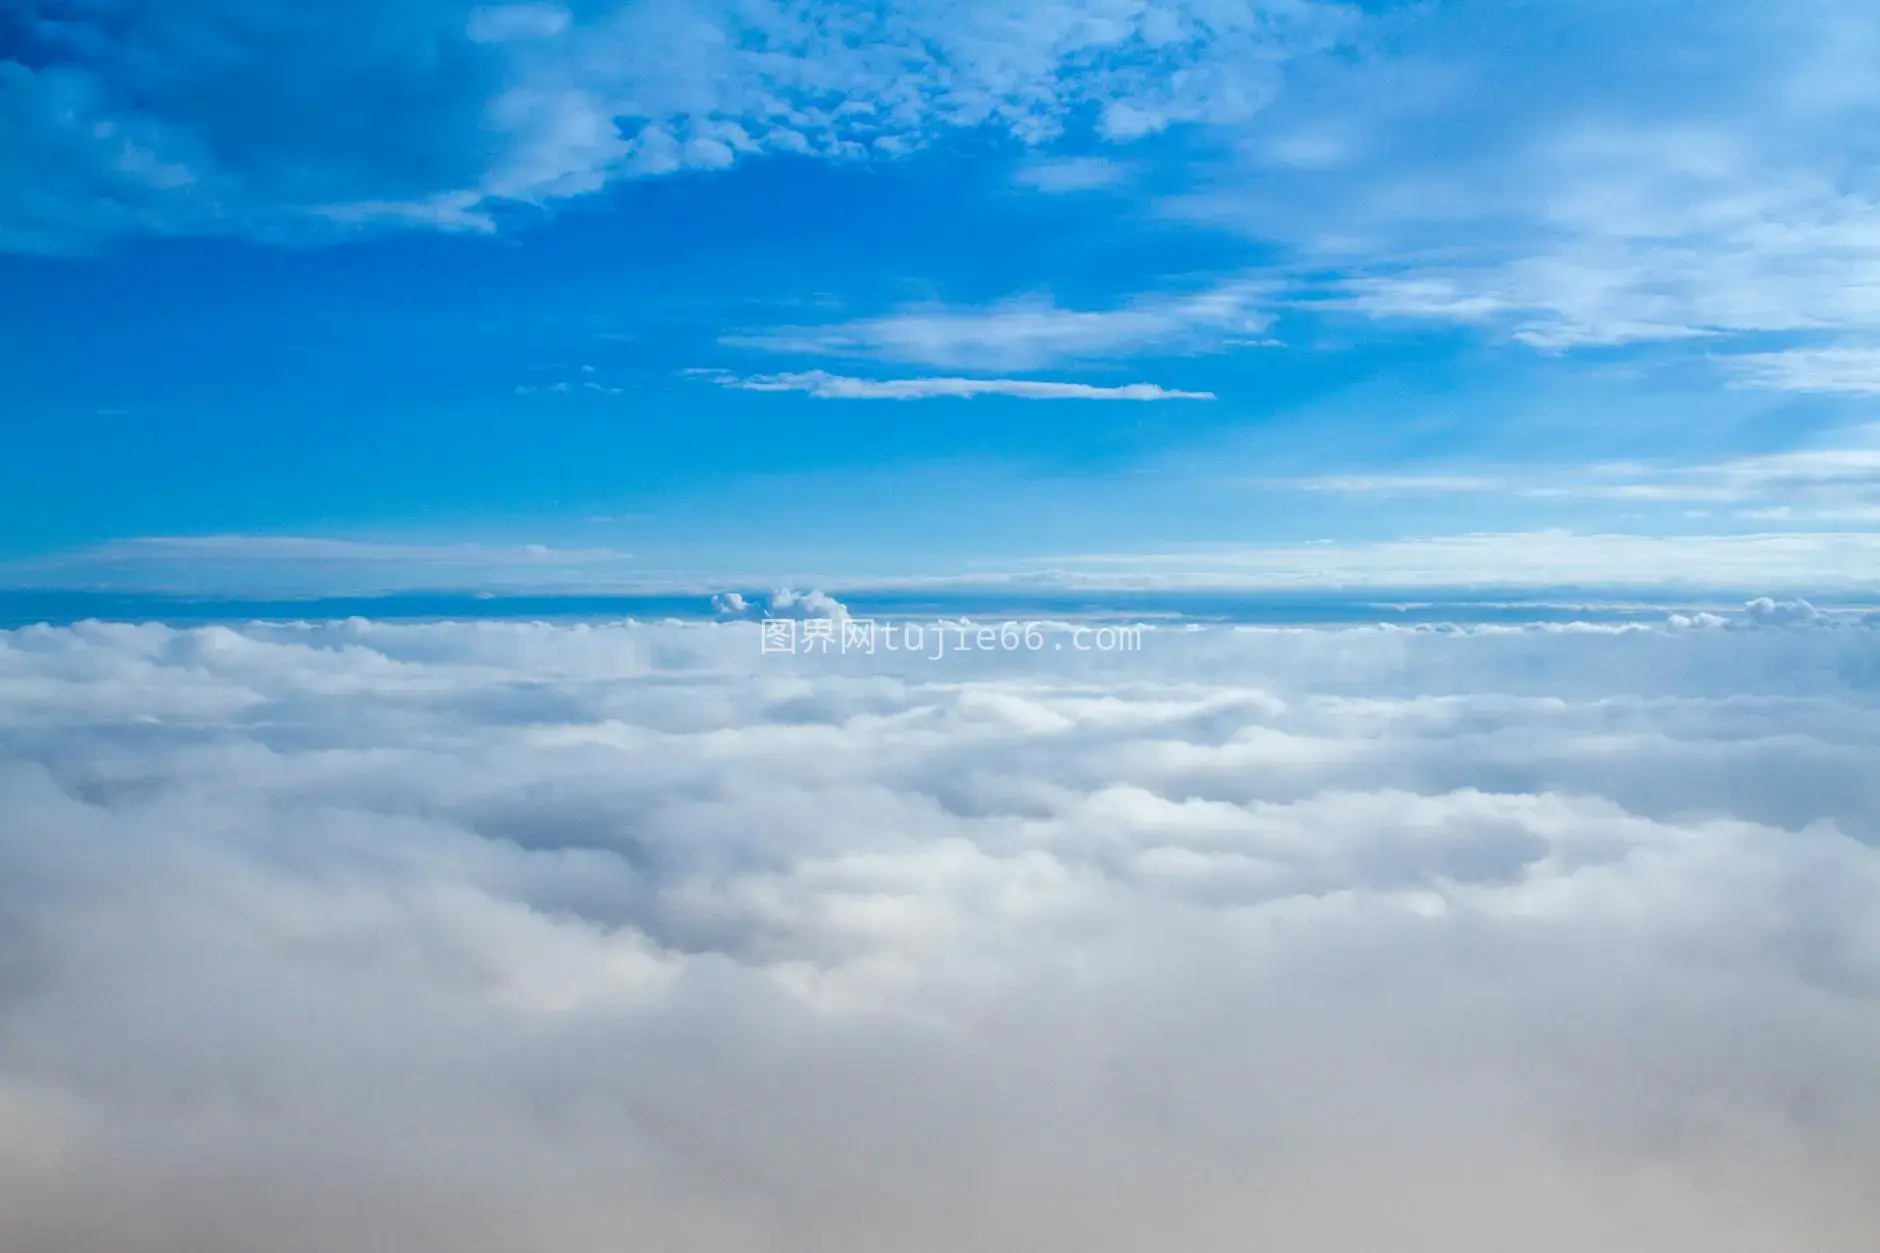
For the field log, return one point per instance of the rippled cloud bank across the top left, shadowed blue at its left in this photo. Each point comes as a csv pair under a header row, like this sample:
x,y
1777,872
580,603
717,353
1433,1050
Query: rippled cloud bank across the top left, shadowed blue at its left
x,y
230,118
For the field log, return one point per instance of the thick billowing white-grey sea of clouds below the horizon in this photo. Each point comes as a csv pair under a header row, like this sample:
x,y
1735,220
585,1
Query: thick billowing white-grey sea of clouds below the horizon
x,y
505,938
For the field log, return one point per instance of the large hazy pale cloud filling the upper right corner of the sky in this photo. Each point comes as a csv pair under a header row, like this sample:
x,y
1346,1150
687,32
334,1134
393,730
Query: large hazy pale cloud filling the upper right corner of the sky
x,y
1714,180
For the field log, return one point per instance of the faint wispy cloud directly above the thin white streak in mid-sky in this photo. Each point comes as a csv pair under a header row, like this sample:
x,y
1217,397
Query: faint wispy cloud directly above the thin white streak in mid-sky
x,y
1033,332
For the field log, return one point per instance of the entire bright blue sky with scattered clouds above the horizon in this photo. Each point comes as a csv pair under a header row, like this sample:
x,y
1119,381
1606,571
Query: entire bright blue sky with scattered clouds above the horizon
x,y
1112,291
